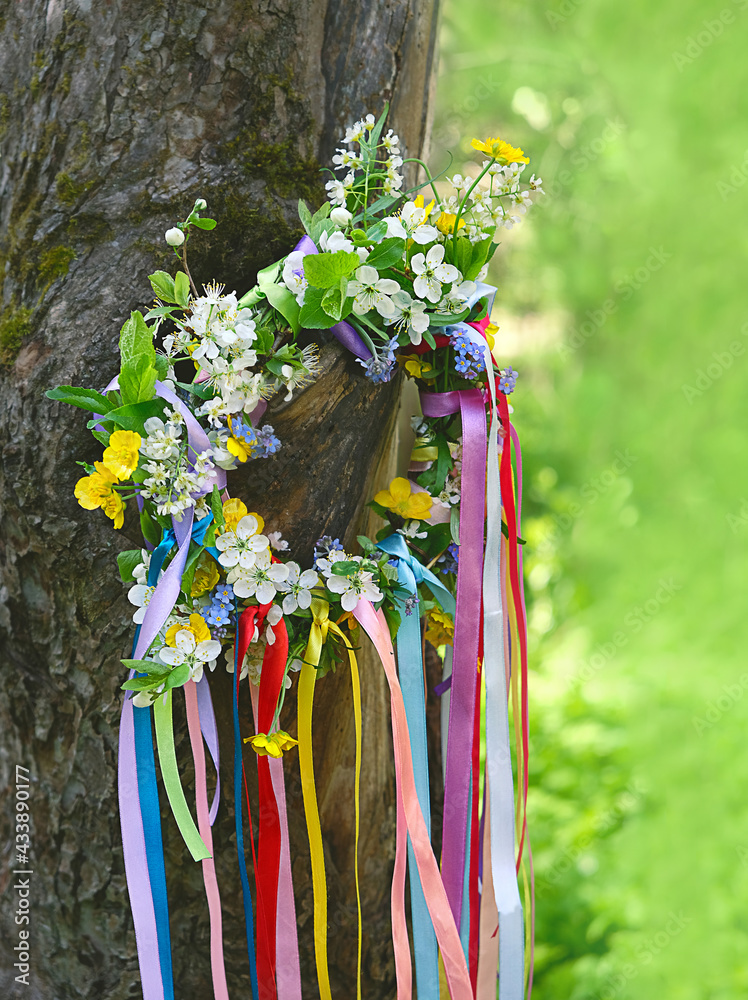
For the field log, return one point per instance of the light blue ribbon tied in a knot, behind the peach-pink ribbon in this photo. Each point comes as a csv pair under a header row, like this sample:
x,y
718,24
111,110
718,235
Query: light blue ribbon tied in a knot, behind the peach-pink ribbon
x,y
410,665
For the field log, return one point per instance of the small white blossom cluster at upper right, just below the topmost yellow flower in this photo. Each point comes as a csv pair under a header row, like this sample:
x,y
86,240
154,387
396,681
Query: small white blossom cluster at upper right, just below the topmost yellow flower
x,y
484,212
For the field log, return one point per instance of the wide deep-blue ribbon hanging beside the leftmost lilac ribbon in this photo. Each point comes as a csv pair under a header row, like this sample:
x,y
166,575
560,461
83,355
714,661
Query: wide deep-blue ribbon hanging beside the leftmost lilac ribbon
x,y
147,786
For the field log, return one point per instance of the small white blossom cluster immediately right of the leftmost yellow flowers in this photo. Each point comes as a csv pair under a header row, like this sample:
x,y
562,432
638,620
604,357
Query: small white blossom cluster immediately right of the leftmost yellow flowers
x,y
173,477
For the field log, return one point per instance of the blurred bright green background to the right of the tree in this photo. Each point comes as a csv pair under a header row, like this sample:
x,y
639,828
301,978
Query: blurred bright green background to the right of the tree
x,y
622,303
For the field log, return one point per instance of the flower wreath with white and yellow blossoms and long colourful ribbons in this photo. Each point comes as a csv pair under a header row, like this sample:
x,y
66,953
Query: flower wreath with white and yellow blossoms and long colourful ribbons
x,y
399,282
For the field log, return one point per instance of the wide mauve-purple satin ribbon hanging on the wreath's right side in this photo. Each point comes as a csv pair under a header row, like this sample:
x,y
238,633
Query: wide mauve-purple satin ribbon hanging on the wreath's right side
x,y
467,632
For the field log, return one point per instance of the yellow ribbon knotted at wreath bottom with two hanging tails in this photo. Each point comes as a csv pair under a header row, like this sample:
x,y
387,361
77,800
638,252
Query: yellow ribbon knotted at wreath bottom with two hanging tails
x,y
321,626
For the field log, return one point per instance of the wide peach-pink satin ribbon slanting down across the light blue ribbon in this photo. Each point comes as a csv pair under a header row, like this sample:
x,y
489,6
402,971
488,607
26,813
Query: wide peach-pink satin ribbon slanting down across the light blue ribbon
x,y
455,967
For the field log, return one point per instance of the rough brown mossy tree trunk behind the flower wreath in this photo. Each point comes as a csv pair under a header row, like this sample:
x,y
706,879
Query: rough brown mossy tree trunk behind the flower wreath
x,y
113,118
